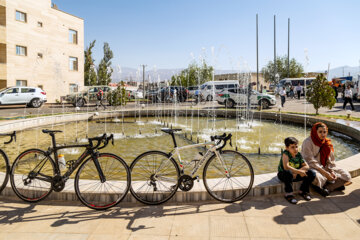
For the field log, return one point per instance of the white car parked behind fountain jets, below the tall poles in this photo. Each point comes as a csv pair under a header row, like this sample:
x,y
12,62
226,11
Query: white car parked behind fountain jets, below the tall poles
x,y
238,96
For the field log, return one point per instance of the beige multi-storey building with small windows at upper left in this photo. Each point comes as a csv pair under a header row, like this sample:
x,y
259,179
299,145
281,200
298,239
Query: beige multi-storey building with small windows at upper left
x,y
41,46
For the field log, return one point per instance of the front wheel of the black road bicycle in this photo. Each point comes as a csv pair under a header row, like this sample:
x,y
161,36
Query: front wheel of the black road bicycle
x,y
102,195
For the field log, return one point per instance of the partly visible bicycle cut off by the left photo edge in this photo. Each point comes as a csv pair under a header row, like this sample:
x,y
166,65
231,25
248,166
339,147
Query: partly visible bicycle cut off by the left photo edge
x,y
4,161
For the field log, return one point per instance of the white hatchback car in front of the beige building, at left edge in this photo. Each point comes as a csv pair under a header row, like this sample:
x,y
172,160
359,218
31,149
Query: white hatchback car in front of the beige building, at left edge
x,y
31,96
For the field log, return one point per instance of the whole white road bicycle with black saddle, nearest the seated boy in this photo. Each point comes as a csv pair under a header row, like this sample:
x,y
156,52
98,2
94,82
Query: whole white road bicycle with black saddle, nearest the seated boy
x,y
227,175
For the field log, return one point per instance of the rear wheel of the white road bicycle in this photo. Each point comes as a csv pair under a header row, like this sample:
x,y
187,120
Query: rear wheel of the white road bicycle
x,y
155,177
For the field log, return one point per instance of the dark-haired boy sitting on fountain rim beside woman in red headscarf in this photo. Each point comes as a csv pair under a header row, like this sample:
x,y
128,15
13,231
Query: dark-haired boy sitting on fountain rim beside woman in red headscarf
x,y
293,168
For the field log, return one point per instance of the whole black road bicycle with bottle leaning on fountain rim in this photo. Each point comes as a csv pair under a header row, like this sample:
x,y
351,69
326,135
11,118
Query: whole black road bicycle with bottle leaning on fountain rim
x,y
101,182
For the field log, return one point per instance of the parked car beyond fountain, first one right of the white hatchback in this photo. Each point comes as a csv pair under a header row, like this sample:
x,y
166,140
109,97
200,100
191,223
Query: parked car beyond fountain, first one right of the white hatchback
x,y
87,96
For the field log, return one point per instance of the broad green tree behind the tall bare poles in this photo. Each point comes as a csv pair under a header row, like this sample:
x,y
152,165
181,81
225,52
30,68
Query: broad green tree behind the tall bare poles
x,y
296,69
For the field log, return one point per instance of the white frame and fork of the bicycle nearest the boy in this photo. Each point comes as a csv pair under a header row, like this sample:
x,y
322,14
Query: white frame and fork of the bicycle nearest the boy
x,y
213,149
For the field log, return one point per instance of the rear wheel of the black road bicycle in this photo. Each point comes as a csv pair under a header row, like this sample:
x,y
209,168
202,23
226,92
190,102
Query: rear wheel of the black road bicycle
x,y
31,175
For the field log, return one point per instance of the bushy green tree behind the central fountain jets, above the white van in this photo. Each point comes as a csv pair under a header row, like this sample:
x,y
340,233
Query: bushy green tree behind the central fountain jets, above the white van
x,y
193,75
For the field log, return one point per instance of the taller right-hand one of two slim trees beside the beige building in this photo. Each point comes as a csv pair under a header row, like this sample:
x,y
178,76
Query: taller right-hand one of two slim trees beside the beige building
x,y
104,69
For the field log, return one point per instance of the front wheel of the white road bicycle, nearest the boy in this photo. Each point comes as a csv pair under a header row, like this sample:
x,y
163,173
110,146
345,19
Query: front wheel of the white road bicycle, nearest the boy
x,y
232,188
